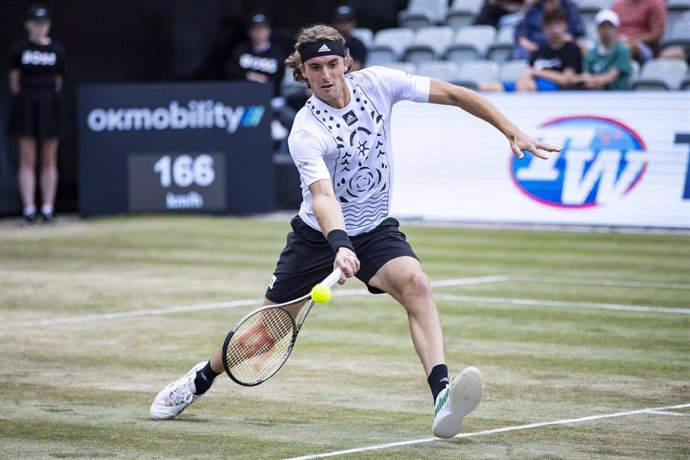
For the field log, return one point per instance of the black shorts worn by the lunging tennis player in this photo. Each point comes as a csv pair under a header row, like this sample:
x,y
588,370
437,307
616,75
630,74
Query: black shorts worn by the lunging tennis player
x,y
308,258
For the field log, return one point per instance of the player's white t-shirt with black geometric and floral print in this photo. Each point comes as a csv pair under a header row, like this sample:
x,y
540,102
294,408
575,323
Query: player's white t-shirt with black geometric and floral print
x,y
352,146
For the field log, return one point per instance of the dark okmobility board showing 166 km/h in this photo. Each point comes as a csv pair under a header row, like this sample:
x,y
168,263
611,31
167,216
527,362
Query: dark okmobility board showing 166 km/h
x,y
196,147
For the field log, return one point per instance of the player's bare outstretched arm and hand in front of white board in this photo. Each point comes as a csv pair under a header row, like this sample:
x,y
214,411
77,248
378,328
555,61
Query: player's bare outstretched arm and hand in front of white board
x,y
447,94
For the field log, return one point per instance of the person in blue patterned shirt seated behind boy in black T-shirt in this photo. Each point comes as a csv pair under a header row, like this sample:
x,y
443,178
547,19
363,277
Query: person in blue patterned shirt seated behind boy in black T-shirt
x,y
529,33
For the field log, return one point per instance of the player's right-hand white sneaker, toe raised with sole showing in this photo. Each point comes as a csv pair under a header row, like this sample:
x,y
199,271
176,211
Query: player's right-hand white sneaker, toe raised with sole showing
x,y
456,401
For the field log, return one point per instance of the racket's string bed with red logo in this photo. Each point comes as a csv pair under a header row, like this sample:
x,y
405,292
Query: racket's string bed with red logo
x,y
260,345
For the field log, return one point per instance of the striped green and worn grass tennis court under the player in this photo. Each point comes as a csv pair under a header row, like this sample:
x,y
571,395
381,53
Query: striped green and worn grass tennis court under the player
x,y
583,340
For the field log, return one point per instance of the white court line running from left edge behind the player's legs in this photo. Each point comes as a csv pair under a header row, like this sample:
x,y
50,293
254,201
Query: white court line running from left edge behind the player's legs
x,y
216,306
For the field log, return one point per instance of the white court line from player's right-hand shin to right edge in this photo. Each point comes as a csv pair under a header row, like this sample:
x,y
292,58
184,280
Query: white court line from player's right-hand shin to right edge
x,y
561,304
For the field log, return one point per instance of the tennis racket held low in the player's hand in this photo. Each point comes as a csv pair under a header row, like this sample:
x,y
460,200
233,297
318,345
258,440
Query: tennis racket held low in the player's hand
x,y
260,343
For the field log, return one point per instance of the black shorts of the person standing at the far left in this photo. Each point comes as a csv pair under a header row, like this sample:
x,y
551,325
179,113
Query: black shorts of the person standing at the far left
x,y
37,113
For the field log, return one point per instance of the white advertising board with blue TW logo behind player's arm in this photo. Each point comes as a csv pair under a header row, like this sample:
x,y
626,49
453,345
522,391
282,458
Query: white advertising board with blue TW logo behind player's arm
x,y
624,161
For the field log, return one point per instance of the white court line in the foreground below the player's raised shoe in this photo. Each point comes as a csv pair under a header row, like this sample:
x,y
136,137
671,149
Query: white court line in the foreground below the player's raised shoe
x,y
490,432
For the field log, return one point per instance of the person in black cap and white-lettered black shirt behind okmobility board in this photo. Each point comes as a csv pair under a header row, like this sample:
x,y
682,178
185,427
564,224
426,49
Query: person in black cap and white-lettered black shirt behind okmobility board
x,y
257,59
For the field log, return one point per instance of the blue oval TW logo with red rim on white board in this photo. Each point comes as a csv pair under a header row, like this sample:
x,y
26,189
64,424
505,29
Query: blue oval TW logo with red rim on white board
x,y
601,160
